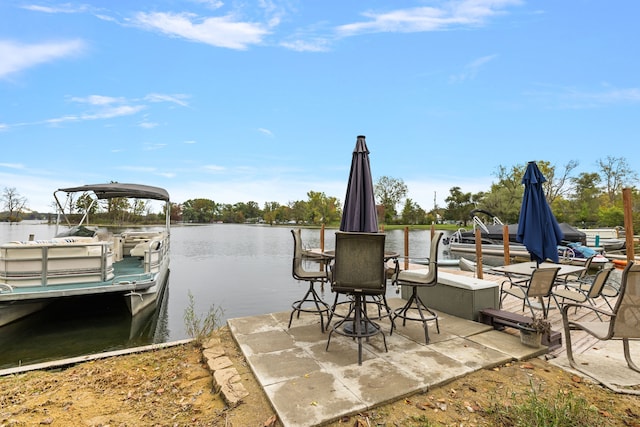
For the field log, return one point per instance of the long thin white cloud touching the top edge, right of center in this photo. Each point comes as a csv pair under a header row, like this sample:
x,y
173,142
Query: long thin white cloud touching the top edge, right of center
x,y
420,19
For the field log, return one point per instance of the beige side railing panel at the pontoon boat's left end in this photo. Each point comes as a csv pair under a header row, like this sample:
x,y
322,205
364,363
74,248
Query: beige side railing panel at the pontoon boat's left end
x,y
44,263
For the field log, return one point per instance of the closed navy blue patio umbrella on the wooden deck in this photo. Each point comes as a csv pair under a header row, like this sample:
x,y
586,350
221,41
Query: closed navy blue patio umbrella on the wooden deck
x,y
538,229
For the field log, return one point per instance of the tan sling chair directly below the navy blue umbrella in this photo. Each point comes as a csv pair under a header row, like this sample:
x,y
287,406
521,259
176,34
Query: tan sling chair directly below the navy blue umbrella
x,y
539,285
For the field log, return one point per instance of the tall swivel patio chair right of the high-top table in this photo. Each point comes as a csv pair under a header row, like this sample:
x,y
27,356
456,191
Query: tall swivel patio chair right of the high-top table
x,y
415,309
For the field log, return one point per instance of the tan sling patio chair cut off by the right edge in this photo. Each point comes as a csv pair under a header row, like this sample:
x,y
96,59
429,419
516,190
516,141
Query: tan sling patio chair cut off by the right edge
x,y
623,323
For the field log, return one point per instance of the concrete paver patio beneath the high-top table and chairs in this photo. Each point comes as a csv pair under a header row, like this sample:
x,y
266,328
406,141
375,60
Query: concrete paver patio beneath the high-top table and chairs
x,y
308,385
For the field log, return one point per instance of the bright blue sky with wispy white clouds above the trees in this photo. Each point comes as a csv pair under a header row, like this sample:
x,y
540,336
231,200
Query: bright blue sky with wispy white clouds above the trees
x,y
262,100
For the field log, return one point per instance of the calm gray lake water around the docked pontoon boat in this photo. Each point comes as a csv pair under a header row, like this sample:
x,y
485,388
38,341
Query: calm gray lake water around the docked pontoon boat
x,y
243,269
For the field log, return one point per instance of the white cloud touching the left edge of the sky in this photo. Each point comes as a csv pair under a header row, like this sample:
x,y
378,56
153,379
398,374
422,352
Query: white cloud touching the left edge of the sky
x,y
16,57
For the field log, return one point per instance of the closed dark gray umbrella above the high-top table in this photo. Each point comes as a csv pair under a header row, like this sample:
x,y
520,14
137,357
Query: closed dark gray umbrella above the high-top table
x,y
359,213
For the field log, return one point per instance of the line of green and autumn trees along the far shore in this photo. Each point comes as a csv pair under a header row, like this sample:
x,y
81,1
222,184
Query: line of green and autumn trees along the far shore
x,y
587,199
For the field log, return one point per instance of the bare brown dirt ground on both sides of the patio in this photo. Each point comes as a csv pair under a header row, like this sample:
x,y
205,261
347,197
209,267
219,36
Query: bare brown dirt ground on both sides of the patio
x,y
173,387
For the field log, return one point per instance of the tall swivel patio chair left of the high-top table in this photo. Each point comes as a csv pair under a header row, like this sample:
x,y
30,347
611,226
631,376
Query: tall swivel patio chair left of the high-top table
x,y
311,302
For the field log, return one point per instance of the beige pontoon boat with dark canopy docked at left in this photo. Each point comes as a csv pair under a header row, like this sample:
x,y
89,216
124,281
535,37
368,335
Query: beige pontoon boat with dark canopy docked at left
x,y
81,261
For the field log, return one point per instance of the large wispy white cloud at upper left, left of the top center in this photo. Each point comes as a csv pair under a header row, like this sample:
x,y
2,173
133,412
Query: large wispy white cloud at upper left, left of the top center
x,y
219,31
